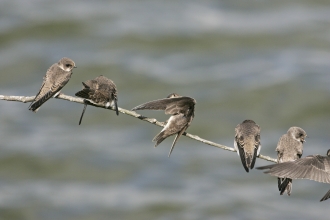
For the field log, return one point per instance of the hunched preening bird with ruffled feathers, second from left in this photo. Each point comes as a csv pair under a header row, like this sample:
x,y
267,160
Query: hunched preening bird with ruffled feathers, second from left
x,y
100,90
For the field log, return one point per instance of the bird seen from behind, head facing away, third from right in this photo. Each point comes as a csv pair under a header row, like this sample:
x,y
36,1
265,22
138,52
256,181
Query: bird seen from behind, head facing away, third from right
x,y
247,143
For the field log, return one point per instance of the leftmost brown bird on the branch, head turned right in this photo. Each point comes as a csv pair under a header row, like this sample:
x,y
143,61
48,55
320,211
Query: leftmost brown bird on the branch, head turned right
x,y
57,76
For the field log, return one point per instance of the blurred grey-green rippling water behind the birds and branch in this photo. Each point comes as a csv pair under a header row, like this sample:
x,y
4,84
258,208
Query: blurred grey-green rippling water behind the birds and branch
x,y
263,60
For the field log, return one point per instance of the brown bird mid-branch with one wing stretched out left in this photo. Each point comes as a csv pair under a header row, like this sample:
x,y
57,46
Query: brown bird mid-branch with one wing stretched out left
x,y
182,110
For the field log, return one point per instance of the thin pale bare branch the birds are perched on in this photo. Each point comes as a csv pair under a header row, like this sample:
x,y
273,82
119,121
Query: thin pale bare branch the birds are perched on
x,y
130,113
